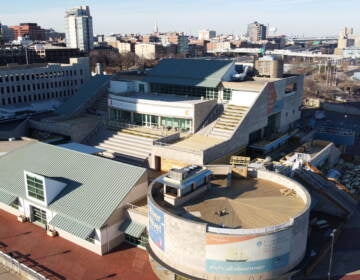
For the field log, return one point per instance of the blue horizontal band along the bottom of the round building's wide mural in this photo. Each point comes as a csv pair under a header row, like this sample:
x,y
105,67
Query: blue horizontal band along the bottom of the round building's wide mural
x,y
246,267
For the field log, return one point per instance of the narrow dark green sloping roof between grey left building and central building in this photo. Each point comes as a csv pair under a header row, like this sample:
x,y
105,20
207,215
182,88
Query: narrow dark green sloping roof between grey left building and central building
x,y
88,90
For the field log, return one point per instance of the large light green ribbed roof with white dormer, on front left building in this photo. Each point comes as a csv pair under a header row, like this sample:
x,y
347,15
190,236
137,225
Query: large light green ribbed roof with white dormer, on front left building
x,y
95,185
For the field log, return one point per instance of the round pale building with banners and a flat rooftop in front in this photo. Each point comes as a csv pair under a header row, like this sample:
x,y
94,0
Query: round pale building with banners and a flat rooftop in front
x,y
215,222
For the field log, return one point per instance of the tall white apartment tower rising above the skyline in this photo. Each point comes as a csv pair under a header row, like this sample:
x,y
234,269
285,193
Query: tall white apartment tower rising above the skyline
x,y
79,30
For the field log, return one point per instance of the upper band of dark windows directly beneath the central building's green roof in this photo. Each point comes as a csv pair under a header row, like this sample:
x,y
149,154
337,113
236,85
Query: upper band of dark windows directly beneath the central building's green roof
x,y
205,92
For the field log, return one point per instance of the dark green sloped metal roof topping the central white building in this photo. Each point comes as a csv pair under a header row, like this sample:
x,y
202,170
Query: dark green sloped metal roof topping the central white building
x,y
189,72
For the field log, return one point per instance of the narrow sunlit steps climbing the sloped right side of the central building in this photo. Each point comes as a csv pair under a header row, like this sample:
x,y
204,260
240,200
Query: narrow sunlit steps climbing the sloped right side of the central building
x,y
228,122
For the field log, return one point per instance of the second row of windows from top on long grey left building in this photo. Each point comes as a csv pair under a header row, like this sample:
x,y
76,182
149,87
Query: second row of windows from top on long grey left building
x,y
29,87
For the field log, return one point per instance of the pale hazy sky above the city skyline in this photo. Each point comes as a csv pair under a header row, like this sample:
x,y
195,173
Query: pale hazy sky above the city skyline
x,y
290,17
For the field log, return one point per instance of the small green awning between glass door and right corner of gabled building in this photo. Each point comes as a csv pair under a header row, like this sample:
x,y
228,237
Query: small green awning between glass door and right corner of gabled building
x,y
71,226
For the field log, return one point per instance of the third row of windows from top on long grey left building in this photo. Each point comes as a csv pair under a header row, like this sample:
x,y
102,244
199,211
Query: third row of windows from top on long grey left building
x,y
36,97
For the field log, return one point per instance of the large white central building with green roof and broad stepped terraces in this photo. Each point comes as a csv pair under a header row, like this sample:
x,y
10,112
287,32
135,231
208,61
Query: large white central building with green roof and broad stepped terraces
x,y
198,111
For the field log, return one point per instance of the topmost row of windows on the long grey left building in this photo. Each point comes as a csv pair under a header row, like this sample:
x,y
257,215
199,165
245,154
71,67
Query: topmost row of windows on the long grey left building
x,y
36,76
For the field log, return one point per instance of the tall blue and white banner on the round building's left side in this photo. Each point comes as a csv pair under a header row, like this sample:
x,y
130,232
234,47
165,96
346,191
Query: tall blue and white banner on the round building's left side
x,y
156,226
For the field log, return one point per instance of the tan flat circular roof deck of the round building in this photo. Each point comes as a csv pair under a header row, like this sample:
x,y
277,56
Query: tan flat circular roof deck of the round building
x,y
247,203
